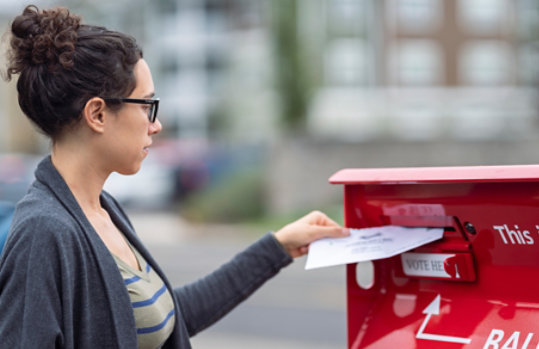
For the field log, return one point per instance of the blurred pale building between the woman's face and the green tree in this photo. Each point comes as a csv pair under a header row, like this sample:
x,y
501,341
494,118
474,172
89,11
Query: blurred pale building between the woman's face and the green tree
x,y
214,66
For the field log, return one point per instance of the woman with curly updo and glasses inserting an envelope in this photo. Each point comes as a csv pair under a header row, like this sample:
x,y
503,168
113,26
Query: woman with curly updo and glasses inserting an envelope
x,y
73,273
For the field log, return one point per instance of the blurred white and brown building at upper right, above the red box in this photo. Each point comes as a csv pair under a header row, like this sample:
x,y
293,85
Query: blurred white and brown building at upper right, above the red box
x,y
425,69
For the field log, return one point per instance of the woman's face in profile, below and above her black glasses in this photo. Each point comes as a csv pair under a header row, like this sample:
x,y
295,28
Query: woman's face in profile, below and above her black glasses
x,y
131,130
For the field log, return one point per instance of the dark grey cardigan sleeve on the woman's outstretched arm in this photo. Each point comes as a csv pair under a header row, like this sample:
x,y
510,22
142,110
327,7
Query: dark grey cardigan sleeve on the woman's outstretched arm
x,y
205,301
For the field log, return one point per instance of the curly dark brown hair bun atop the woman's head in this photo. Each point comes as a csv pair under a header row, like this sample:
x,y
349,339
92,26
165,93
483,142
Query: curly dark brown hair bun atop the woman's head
x,y
45,37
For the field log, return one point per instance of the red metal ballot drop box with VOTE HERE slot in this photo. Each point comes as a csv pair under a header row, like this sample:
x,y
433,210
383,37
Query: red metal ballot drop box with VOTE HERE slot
x,y
474,288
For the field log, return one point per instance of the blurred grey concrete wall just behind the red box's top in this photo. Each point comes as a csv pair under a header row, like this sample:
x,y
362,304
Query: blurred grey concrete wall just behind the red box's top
x,y
298,170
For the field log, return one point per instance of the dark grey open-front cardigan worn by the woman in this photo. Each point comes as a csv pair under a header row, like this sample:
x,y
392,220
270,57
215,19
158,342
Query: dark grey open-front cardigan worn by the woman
x,y
61,288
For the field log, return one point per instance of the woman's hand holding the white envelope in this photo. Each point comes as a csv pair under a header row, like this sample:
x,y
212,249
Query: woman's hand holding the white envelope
x,y
296,236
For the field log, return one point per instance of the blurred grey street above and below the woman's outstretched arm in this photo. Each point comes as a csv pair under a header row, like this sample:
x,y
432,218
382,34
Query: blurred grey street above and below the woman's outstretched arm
x,y
296,309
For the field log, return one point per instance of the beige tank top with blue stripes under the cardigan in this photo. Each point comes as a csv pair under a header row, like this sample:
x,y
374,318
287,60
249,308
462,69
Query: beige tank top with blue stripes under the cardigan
x,y
152,303
